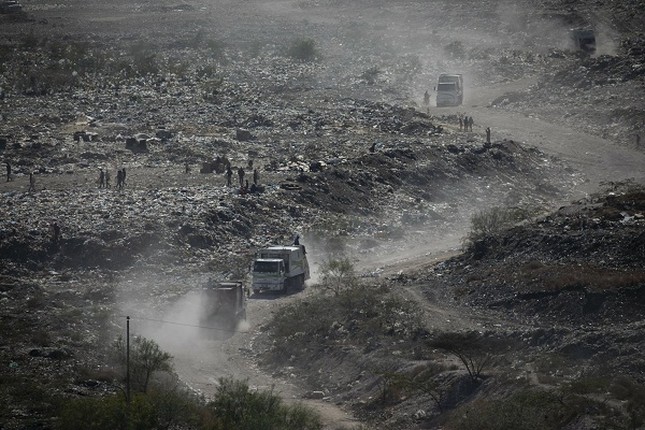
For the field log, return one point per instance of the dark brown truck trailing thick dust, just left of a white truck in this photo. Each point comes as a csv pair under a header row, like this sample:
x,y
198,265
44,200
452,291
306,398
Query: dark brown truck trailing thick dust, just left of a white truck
x,y
223,304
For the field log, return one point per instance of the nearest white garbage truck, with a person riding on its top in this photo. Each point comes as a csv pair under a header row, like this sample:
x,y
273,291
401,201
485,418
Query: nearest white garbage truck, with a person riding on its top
x,y
280,268
